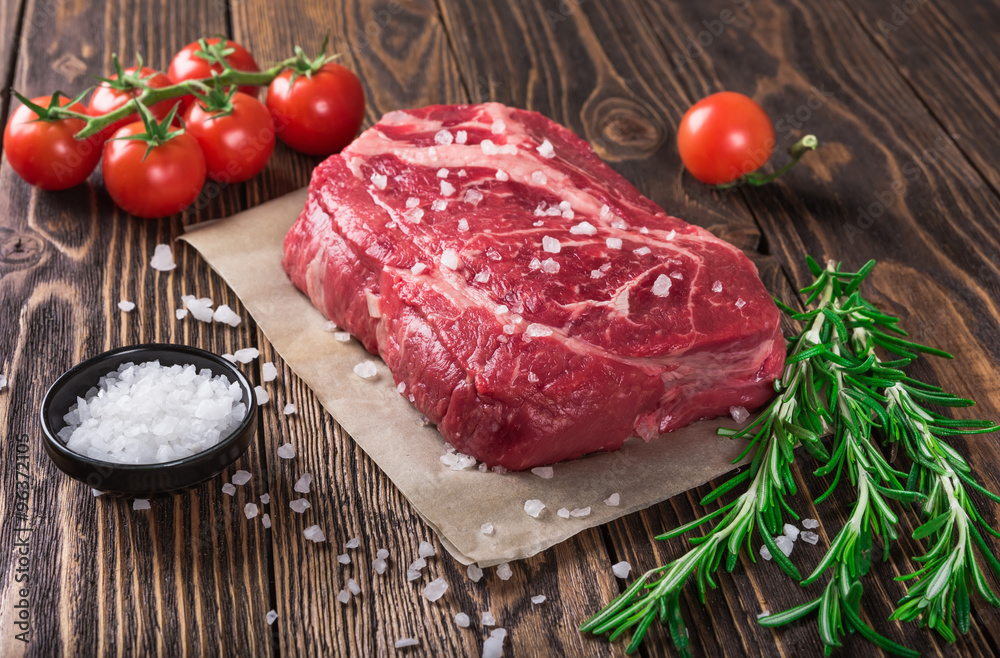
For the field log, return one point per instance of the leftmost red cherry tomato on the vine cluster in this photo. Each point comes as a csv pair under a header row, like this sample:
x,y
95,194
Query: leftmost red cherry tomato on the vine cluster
x,y
44,153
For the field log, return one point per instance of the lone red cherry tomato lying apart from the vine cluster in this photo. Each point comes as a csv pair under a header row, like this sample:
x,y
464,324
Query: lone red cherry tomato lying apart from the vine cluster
x,y
724,136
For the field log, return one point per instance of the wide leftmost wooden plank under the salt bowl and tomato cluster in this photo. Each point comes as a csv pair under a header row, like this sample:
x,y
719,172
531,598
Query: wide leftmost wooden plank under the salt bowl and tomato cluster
x,y
186,577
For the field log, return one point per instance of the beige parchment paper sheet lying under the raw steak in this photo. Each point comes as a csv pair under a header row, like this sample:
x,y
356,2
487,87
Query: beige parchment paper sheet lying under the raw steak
x,y
246,251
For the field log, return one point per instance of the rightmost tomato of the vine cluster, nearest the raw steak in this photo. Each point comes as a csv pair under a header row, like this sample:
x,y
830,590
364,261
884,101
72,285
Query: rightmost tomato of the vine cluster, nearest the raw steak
x,y
318,114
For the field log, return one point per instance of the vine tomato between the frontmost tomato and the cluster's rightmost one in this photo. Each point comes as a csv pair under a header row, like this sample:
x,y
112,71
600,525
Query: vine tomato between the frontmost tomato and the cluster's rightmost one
x,y
236,145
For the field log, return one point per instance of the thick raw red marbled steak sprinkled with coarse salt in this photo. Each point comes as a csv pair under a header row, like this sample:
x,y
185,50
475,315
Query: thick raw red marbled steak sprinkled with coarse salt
x,y
527,299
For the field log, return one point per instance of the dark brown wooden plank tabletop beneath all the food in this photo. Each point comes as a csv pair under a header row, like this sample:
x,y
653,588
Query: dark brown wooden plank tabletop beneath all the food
x,y
903,96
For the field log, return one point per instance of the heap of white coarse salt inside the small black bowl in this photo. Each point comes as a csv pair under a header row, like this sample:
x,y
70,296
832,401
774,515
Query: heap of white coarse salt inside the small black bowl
x,y
148,413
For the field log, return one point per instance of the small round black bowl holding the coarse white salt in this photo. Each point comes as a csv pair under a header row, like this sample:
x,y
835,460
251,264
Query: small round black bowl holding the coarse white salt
x,y
143,479
